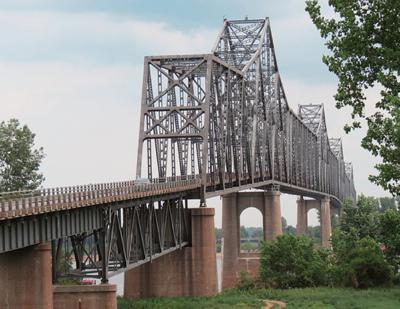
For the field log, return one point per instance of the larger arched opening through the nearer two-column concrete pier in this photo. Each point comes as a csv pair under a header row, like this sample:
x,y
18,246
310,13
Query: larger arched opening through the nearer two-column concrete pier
x,y
251,230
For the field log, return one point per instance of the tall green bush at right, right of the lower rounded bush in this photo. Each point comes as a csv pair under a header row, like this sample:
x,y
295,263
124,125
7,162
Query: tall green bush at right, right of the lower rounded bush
x,y
358,260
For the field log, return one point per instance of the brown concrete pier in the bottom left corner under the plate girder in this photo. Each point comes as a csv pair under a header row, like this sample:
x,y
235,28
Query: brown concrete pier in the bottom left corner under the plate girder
x,y
25,278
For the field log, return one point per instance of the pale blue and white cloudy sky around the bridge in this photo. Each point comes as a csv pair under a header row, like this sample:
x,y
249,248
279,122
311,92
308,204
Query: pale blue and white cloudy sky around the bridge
x,y
72,69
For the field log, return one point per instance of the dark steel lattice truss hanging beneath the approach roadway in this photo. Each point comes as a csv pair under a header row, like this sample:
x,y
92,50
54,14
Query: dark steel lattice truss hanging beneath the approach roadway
x,y
130,236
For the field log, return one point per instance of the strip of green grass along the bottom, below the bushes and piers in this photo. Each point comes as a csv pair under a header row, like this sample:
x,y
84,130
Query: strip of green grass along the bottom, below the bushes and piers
x,y
295,298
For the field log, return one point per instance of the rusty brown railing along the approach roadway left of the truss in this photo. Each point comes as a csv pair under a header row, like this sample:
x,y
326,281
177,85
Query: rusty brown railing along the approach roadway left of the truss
x,y
23,203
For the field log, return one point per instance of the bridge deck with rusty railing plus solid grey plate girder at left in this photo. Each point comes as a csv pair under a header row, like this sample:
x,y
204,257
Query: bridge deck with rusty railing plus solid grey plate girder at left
x,y
28,217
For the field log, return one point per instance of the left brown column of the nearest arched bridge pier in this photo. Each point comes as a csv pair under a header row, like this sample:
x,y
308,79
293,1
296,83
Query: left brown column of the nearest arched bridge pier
x,y
231,234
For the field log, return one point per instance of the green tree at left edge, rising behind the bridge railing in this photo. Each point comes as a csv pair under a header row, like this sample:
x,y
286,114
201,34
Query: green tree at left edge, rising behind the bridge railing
x,y
19,161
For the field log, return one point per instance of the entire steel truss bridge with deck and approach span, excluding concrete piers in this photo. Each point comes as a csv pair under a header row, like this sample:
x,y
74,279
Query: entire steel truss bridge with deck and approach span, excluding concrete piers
x,y
210,124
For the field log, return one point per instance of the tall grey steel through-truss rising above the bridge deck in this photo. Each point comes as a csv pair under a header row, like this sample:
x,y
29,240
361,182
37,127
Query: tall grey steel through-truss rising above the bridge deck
x,y
225,117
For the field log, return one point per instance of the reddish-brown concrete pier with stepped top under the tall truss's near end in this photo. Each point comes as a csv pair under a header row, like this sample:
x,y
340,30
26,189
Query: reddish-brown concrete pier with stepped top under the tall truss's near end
x,y
191,271
